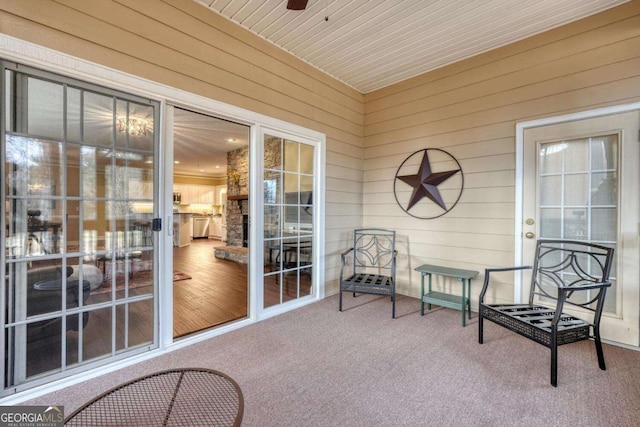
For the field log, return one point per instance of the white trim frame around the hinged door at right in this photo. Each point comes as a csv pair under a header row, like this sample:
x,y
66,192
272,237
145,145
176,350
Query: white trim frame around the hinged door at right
x,y
518,294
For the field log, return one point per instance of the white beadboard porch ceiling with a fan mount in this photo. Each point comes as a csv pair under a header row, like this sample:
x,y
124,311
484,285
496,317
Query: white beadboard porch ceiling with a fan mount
x,y
370,44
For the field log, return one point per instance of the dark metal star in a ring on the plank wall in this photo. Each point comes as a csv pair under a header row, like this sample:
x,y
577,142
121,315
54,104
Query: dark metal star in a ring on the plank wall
x,y
410,189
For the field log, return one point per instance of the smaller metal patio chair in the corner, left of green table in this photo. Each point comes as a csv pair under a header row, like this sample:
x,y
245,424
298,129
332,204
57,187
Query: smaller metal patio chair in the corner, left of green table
x,y
374,265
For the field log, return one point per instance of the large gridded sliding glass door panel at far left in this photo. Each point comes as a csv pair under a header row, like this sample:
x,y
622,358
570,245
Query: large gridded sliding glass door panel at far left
x,y
79,191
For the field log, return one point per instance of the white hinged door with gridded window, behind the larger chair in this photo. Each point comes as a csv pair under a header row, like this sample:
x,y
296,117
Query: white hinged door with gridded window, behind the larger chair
x,y
580,182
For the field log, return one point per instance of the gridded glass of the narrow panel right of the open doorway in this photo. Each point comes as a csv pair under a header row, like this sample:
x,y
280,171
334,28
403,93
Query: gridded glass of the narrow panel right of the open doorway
x,y
288,252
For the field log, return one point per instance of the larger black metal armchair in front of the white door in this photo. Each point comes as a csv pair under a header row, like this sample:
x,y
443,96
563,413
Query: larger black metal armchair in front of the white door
x,y
571,272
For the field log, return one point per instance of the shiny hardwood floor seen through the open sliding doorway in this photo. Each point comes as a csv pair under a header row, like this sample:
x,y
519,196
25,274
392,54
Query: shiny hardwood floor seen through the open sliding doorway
x,y
216,293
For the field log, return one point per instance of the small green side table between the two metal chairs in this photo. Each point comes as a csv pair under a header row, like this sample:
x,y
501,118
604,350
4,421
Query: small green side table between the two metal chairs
x,y
447,300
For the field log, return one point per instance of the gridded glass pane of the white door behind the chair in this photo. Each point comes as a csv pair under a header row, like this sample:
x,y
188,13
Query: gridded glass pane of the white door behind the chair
x,y
578,193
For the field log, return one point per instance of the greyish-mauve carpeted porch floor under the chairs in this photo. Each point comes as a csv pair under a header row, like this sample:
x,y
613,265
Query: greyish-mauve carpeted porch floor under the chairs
x,y
318,367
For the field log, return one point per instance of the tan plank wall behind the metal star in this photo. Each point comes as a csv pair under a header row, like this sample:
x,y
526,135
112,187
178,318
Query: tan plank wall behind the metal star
x,y
471,109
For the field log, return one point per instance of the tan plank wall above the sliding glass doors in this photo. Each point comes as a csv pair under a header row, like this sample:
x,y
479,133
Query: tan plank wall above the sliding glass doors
x,y
181,44
